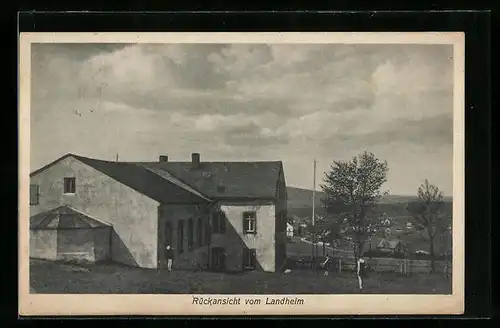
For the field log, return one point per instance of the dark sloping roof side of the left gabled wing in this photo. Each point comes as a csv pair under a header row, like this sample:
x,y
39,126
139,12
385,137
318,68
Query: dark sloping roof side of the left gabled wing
x,y
144,181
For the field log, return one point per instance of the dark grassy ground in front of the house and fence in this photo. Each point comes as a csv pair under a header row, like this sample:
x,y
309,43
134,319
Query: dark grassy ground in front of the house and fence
x,y
51,277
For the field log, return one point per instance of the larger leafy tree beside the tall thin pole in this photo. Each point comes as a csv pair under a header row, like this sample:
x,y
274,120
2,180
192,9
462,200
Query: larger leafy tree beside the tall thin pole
x,y
352,190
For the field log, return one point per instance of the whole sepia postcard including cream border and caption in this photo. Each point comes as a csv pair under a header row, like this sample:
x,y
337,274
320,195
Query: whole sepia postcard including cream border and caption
x,y
242,173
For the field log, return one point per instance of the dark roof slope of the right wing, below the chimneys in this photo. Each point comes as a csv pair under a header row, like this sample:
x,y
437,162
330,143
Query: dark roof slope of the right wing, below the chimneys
x,y
244,180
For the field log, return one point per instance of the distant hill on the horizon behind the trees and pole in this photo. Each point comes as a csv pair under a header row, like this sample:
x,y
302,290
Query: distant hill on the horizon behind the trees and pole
x,y
300,201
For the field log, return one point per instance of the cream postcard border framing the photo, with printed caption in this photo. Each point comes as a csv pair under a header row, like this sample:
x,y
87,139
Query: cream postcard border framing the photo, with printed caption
x,y
106,304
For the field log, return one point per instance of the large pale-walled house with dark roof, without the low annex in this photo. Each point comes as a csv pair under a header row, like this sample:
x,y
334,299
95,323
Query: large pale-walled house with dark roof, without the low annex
x,y
225,216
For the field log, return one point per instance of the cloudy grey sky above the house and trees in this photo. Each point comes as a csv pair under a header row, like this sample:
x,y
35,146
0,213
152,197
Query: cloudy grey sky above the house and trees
x,y
249,102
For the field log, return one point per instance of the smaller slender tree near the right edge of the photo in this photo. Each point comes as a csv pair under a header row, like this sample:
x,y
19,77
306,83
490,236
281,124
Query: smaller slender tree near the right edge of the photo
x,y
427,215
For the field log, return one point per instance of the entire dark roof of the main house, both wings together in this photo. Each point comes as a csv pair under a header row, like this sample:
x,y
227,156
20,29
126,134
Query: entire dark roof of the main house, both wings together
x,y
179,182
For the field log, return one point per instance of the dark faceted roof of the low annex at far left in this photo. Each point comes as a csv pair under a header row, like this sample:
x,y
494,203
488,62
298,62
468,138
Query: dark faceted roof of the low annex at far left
x,y
65,217
